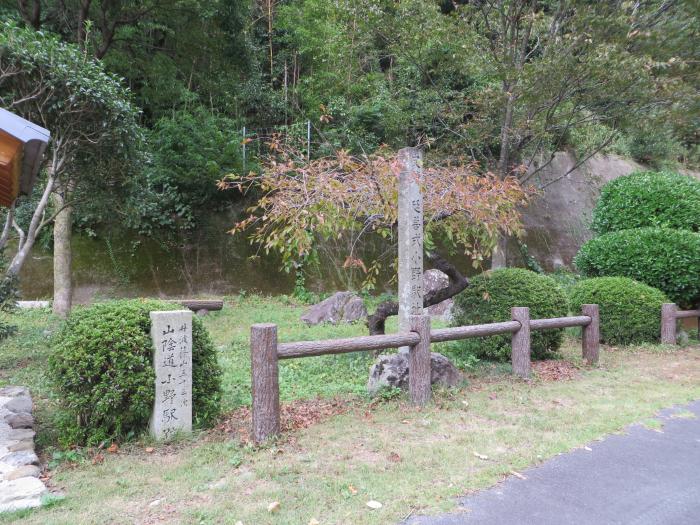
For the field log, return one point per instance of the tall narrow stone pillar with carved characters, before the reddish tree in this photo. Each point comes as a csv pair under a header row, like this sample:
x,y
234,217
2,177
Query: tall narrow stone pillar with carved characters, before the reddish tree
x,y
410,238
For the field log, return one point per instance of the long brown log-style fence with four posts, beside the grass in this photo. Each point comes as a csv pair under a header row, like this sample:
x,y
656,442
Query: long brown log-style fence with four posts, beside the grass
x,y
265,354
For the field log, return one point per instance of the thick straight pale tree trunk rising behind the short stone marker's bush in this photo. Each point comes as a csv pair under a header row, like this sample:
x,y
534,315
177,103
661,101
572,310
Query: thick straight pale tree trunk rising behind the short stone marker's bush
x,y
62,257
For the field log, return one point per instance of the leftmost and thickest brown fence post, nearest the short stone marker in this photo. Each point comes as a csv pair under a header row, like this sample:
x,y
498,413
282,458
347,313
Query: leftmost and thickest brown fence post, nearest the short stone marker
x,y
265,381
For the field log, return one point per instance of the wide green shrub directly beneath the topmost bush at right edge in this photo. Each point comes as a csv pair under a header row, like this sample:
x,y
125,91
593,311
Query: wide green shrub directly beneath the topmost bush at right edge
x,y
659,257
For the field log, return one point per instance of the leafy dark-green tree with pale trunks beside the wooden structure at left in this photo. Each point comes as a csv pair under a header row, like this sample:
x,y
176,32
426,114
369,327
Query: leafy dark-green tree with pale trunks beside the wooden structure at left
x,y
93,126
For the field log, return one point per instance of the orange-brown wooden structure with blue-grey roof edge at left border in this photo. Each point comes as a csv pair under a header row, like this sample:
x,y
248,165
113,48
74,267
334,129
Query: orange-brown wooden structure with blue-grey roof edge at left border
x,y
22,146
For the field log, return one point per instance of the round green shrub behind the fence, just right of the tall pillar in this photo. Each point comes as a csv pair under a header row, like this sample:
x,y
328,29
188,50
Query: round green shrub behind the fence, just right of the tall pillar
x,y
489,299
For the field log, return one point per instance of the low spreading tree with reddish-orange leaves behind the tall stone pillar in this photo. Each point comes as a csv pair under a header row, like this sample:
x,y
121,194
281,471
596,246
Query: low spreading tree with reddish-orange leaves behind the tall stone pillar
x,y
305,203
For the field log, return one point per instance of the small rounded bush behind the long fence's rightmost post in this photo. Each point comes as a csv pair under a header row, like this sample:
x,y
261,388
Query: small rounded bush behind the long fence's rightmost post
x,y
630,312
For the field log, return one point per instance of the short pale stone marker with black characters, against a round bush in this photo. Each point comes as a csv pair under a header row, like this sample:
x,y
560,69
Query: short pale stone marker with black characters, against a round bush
x,y
172,359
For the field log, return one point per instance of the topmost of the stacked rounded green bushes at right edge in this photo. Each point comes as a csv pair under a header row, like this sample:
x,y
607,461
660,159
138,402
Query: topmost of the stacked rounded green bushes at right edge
x,y
648,198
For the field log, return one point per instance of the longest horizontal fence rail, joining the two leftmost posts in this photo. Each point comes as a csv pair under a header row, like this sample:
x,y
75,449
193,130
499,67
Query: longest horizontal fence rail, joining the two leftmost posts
x,y
342,346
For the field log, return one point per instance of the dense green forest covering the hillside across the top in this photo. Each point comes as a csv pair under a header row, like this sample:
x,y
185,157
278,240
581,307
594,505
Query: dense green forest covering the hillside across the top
x,y
196,89
